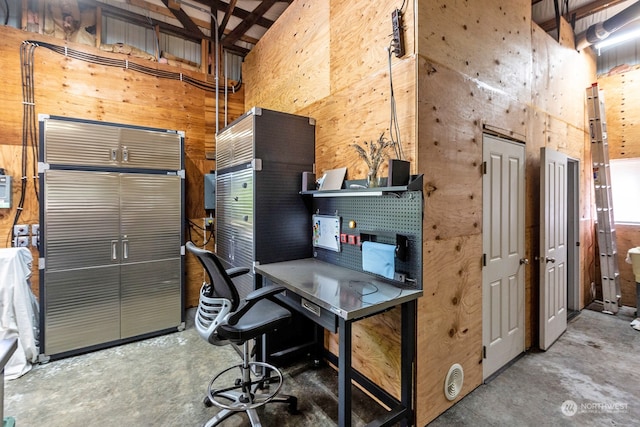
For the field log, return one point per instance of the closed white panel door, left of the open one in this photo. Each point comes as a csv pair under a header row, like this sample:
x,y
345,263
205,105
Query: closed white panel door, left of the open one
x,y
503,252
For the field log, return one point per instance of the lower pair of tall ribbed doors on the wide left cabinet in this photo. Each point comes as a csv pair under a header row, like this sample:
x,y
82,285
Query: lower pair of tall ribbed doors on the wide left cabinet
x,y
112,251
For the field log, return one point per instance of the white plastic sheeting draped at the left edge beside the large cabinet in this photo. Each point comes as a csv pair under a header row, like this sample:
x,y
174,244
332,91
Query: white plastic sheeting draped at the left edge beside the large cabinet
x,y
18,309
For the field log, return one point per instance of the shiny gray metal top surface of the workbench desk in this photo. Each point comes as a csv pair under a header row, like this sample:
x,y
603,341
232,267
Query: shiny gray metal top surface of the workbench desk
x,y
348,293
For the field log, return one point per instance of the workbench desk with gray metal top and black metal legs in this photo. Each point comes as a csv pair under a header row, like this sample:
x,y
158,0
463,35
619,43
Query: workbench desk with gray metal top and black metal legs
x,y
335,297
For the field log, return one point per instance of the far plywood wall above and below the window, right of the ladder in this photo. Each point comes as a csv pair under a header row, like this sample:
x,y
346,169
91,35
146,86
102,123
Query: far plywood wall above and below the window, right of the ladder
x,y
622,109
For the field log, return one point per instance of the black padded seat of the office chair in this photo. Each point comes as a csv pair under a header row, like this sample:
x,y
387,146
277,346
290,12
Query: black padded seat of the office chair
x,y
265,316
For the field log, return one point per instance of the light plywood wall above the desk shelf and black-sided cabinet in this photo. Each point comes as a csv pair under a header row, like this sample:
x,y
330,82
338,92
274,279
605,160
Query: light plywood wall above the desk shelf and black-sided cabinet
x,y
328,60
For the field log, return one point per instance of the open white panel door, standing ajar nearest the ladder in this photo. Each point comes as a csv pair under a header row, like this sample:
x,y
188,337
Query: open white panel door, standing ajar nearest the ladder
x,y
553,246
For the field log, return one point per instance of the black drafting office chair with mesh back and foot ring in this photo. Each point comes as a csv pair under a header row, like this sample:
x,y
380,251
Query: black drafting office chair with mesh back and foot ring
x,y
223,319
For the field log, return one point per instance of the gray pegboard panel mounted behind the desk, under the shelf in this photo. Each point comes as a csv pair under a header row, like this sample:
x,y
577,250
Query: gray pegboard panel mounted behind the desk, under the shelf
x,y
382,217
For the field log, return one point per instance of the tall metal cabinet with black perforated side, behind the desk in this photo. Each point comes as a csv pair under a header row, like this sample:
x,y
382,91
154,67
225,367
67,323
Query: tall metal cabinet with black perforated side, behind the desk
x,y
261,217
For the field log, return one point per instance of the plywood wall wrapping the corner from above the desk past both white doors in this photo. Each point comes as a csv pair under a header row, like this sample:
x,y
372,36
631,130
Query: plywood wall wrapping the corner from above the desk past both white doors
x,y
471,66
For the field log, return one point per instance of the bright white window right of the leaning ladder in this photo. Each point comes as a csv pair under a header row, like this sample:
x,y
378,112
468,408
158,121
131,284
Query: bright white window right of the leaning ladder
x,y
625,189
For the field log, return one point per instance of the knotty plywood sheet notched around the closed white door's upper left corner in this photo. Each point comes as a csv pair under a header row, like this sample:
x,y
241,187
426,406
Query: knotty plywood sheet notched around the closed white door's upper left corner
x,y
450,152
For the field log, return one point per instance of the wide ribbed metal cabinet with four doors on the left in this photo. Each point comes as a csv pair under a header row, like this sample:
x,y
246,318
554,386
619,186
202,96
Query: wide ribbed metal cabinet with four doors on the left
x,y
111,222
